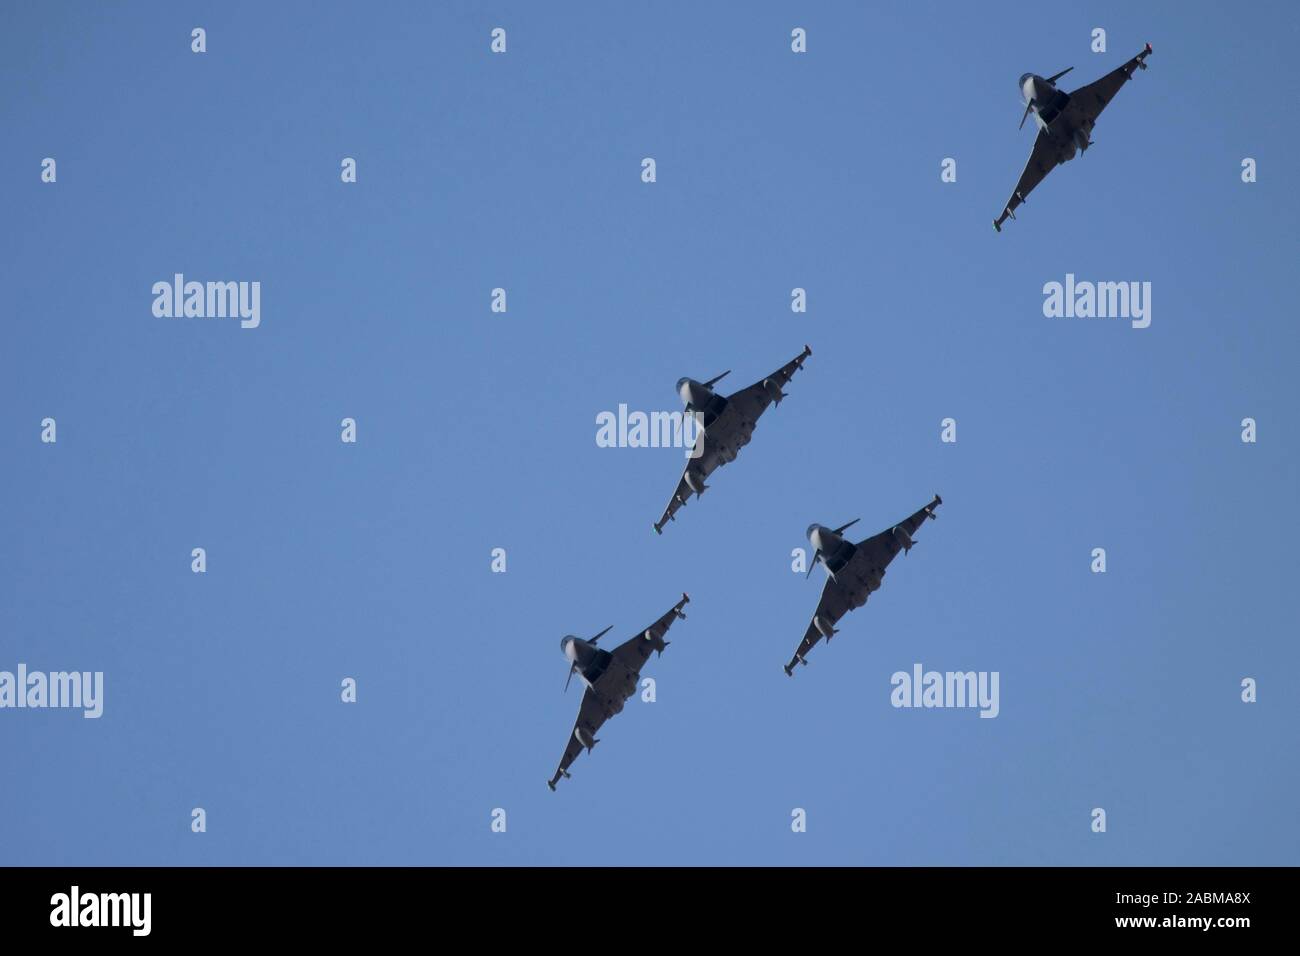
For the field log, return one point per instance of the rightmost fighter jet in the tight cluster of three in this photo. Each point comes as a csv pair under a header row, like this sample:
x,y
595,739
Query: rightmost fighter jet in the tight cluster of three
x,y
853,572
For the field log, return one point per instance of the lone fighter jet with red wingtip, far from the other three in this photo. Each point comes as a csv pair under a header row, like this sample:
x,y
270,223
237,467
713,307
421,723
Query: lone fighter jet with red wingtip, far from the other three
x,y
1065,123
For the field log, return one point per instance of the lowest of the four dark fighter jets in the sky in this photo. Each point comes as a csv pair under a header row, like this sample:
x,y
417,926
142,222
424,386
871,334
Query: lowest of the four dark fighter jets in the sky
x,y
610,678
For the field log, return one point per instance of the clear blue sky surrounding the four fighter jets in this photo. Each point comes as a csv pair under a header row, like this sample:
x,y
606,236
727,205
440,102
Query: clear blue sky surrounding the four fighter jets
x,y
478,431
